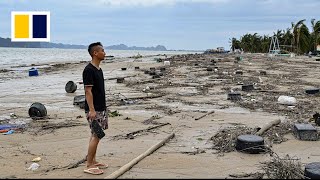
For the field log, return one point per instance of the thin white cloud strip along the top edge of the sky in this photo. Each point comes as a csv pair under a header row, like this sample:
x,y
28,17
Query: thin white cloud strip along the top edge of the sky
x,y
148,3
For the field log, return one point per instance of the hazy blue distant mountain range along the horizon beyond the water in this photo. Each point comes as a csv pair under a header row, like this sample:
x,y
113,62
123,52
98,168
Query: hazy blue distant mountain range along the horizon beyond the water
x,y
6,42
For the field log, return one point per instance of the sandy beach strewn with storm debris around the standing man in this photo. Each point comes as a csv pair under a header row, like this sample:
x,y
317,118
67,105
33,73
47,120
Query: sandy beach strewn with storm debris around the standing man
x,y
185,90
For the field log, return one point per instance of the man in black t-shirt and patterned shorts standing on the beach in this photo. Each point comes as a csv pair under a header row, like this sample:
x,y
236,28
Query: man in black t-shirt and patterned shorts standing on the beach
x,y
95,104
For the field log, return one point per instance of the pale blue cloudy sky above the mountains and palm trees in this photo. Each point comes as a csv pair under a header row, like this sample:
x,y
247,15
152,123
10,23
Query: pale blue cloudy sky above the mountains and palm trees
x,y
176,24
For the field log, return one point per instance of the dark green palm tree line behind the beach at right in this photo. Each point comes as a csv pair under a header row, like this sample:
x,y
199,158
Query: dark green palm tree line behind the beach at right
x,y
298,39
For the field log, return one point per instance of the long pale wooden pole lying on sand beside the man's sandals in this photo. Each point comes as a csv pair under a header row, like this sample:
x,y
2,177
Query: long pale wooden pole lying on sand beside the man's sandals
x,y
129,165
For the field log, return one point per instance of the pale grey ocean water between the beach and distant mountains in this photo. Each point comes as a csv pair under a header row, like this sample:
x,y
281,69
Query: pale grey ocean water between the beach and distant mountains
x,y
11,58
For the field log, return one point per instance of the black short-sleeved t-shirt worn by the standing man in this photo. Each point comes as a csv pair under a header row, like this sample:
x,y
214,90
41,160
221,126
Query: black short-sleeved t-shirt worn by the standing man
x,y
94,77
